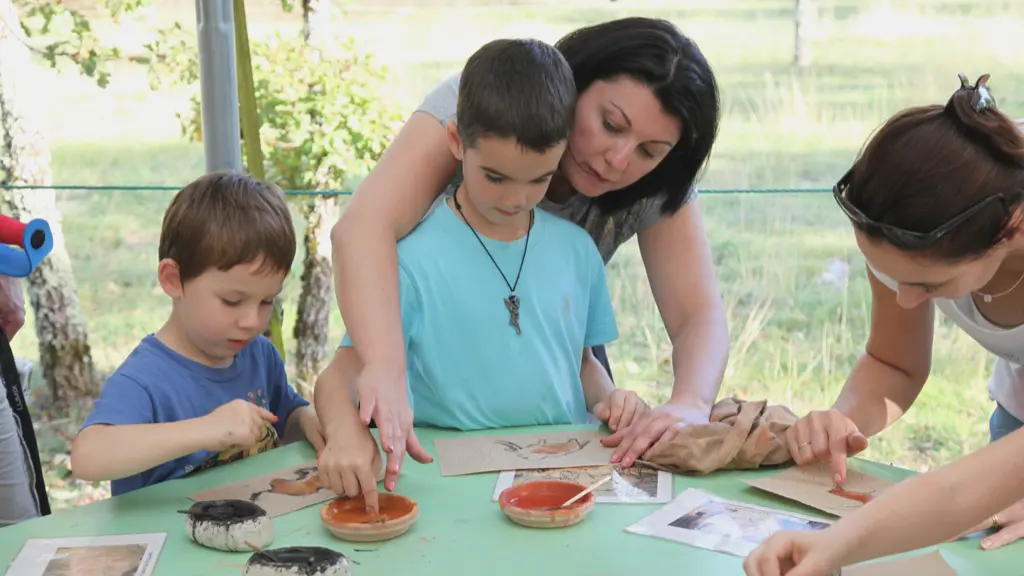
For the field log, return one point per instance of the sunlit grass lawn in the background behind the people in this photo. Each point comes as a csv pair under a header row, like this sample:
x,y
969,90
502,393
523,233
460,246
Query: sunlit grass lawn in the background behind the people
x,y
794,283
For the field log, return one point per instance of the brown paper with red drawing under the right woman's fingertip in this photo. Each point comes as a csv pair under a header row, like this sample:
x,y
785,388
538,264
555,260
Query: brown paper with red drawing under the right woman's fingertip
x,y
814,486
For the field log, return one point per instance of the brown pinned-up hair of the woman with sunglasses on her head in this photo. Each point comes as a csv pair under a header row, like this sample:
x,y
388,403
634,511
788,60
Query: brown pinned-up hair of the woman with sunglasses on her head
x,y
929,164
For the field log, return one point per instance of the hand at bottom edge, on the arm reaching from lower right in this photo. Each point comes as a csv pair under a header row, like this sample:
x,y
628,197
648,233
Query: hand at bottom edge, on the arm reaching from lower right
x,y
795,554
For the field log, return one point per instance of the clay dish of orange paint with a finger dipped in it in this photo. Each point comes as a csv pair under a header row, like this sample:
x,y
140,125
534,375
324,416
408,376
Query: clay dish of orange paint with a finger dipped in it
x,y
348,518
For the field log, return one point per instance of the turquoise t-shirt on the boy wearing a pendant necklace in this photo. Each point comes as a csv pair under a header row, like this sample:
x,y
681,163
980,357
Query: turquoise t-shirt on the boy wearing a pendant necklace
x,y
467,367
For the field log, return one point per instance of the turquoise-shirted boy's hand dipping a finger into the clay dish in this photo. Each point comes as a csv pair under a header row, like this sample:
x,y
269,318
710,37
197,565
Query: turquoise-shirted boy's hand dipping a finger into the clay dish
x,y
351,464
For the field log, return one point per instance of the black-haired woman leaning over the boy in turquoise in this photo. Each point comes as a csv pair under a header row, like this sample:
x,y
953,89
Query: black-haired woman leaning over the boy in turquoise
x,y
647,119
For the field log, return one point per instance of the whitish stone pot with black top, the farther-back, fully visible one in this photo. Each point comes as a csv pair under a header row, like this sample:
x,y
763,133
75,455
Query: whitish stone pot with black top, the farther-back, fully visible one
x,y
230,525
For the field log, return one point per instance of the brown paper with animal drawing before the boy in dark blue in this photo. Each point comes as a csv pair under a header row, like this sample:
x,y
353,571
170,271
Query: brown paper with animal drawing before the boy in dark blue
x,y
279,493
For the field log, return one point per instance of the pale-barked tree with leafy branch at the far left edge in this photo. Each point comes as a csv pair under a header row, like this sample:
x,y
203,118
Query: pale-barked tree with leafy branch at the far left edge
x,y
25,160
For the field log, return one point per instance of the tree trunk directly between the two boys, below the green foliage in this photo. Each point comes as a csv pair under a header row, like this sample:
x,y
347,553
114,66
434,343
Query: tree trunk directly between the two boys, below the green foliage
x,y
314,319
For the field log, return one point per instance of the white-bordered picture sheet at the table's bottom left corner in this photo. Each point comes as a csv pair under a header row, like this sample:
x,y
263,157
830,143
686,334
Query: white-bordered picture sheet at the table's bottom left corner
x,y
127,554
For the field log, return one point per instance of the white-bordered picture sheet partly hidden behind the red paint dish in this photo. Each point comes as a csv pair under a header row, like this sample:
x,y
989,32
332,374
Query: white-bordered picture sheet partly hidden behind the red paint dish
x,y
637,485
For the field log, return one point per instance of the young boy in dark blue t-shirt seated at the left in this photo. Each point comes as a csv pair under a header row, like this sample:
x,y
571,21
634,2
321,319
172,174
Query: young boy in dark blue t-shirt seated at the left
x,y
208,388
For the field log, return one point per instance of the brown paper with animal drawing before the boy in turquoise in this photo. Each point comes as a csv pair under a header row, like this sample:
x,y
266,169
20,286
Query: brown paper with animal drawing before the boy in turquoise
x,y
472,455
